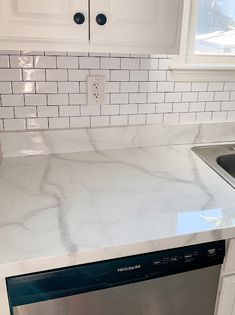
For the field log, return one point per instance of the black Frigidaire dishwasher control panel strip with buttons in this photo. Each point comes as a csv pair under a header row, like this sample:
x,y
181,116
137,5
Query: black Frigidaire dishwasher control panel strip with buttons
x,y
52,284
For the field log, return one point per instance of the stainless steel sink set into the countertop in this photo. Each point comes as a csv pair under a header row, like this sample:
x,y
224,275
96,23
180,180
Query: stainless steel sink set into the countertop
x,y
221,158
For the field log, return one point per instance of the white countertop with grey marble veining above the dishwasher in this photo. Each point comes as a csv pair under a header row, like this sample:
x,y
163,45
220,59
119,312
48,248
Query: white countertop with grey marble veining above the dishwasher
x,y
65,209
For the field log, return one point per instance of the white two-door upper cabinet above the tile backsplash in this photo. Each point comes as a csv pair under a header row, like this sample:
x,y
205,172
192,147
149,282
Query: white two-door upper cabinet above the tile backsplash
x,y
134,26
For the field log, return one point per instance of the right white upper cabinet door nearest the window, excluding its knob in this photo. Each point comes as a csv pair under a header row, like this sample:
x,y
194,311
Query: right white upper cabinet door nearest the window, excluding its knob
x,y
150,25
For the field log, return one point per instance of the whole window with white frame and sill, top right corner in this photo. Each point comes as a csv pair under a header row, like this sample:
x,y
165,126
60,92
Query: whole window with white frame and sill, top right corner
x,y
208,41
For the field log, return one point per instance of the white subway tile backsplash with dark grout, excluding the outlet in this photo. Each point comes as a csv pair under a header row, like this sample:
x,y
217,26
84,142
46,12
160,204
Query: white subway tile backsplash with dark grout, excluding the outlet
x,y
41,90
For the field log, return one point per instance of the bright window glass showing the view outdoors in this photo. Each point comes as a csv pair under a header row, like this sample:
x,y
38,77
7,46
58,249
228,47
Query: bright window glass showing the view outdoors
x,y
216,27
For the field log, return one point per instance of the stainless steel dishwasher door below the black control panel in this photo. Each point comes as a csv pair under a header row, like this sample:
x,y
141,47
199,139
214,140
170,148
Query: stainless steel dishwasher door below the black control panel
x,y
191,293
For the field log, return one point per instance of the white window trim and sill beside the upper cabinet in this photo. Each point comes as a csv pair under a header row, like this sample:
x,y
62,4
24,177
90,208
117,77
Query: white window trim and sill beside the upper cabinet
x,y
190,67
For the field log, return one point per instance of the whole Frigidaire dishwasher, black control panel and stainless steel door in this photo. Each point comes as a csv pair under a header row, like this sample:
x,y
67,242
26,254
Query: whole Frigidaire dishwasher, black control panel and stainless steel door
x,y
171,282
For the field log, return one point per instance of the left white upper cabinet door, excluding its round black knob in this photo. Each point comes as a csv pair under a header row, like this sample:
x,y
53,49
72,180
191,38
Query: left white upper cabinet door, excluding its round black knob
x,y
37,20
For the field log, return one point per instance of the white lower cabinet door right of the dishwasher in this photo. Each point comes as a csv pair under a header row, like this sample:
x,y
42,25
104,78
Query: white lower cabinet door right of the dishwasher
x,y
226,302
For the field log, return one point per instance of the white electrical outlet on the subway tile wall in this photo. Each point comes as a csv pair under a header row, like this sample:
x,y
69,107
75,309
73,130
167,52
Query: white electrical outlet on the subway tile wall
x,y
95,90
